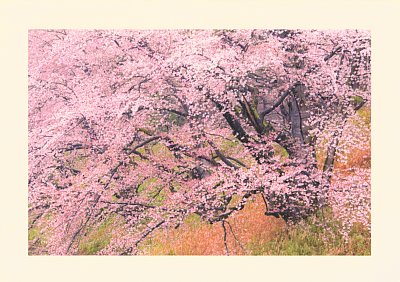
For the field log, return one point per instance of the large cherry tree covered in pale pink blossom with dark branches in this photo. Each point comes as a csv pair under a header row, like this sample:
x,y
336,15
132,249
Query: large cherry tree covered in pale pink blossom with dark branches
x,y
152,126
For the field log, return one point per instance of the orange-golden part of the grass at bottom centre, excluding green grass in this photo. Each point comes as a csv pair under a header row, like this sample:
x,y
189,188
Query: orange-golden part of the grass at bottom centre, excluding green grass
x,y
196,237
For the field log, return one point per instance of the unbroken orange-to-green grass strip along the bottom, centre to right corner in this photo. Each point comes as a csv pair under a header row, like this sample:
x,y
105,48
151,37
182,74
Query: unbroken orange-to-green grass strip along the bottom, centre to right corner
x,y
252,233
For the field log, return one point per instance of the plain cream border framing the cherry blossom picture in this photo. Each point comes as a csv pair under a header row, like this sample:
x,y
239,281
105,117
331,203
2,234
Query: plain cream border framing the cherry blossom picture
x,y
17,16
